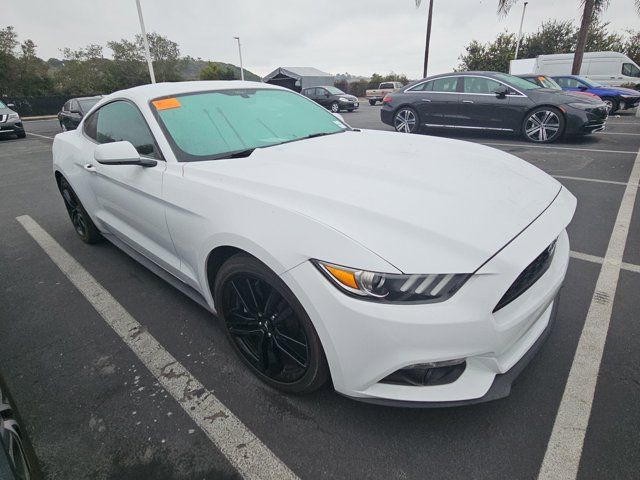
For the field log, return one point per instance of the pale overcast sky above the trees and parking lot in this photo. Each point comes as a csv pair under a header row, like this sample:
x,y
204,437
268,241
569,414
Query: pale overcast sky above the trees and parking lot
x,y
355,36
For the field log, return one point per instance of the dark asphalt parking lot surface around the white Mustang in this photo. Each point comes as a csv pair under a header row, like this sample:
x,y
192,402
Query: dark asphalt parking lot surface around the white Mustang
x,y
93,410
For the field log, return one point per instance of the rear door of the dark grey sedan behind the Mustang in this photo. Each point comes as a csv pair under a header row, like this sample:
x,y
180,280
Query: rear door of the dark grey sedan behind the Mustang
x,y
437,101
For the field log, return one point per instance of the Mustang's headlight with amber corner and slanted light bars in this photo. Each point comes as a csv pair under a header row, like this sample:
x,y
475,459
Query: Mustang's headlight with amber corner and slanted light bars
x,y
392,287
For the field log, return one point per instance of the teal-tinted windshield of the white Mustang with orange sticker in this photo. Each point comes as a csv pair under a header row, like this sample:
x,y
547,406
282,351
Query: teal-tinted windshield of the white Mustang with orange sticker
x,y
226,123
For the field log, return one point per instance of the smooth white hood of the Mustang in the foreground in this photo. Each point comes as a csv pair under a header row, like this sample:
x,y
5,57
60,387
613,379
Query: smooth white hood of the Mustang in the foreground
x,y
424,204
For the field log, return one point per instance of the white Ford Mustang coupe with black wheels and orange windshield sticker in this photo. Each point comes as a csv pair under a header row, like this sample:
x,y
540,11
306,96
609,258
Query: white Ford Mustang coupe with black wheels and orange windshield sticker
x,y
410,270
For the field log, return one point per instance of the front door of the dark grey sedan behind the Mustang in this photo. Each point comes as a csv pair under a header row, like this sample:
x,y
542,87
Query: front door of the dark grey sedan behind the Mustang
x,y
481,107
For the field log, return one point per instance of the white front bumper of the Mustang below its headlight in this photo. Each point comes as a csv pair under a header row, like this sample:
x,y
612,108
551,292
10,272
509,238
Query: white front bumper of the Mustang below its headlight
x,y
364,342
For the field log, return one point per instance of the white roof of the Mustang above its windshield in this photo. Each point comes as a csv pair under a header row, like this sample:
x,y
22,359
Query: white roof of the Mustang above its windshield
x,y
143,93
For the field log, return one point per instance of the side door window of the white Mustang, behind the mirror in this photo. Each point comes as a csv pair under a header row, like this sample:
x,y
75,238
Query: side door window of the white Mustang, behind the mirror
x,y
120,121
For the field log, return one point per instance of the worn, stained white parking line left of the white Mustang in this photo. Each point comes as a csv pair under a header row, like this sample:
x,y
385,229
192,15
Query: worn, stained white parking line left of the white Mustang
x,y
243,449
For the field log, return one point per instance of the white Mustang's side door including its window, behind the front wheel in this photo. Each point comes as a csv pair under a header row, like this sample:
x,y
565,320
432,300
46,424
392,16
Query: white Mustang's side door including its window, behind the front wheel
x,y
129,197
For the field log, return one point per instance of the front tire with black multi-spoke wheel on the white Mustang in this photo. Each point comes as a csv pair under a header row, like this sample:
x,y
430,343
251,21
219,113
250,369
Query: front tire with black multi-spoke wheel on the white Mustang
x,y
268,327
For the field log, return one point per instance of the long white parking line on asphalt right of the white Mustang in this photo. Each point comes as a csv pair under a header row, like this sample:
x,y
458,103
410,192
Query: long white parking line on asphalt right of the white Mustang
x,y
564,450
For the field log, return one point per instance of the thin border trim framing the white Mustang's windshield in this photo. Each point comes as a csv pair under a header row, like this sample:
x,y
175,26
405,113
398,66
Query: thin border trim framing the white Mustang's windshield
x,y
225,155
